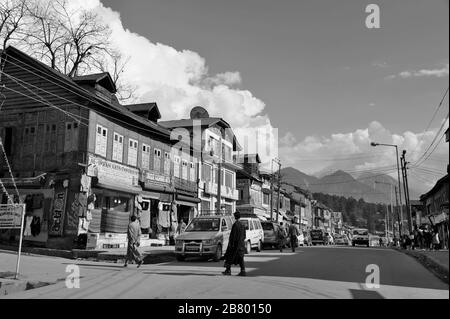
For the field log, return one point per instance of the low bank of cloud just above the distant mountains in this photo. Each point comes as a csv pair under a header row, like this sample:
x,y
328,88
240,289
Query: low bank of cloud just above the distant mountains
x,y
352,152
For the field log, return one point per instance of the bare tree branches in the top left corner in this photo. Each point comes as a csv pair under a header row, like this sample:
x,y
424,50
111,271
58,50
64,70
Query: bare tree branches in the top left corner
x,y
12,13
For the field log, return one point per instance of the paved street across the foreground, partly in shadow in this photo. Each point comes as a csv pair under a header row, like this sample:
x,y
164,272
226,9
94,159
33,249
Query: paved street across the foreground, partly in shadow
x,y
311,272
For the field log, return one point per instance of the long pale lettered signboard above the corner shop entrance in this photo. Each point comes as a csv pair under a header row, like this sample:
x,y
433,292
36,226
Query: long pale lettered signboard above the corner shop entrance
x,y
112,173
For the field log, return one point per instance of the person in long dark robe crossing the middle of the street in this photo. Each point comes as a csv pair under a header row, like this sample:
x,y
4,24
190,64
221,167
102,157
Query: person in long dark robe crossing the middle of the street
x,y
236,247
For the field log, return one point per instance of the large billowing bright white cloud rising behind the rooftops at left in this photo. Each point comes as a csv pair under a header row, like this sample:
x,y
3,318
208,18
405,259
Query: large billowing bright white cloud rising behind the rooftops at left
x,y
179,80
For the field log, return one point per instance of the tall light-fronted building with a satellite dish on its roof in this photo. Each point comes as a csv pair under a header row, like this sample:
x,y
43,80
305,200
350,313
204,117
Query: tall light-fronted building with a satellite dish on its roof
x,y
216,143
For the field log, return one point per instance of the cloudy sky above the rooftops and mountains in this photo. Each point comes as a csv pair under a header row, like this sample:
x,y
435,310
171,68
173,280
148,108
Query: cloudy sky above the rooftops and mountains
x,y
309,72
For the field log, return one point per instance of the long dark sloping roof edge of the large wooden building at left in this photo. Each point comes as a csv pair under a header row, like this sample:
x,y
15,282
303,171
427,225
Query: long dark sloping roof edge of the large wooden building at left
x,y
74,86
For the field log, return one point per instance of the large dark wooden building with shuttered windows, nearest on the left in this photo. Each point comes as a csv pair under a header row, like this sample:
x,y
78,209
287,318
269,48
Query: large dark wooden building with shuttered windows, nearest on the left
x,y
82,162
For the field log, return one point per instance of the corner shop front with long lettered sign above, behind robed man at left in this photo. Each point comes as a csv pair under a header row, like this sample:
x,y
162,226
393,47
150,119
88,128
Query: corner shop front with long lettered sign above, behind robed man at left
x,y
110,203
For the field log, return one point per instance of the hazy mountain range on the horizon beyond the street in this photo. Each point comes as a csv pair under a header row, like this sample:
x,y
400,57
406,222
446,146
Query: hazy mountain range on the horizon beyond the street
x,y
341,183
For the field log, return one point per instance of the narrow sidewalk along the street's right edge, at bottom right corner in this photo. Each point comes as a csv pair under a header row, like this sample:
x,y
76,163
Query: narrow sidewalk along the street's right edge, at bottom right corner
x,y
435,261
